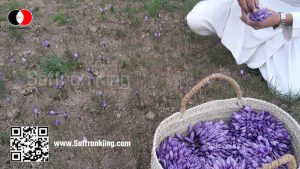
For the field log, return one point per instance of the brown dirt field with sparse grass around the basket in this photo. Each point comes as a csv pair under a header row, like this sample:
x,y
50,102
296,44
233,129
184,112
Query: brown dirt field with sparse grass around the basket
x,y
137,60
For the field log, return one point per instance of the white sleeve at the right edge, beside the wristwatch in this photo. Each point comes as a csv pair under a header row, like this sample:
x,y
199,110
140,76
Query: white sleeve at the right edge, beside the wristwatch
x,y
290,32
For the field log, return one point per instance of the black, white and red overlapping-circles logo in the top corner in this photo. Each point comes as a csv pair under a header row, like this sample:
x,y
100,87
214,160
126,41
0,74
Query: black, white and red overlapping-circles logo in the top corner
x,y
20,17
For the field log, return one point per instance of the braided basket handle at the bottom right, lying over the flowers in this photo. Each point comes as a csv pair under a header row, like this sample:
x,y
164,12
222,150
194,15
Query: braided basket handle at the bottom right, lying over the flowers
x,y
288,158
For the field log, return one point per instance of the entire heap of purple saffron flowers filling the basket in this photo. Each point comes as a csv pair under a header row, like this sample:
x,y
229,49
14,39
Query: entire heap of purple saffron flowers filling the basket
x,y
250,140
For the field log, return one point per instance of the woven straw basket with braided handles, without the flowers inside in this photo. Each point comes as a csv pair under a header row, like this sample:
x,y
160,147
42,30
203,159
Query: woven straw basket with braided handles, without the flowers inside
x,y
222,109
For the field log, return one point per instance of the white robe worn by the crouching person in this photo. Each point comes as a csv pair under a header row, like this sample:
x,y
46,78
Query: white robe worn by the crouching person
x,y
276,53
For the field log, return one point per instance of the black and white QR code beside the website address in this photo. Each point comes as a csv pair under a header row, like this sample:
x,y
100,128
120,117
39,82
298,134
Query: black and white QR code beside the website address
x,y
29,144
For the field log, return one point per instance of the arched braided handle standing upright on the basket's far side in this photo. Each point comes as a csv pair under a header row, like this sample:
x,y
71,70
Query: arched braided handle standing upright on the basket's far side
x,y
206,81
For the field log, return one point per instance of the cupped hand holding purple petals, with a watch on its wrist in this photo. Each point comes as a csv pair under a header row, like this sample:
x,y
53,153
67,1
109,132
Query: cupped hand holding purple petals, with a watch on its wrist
x,y
269,22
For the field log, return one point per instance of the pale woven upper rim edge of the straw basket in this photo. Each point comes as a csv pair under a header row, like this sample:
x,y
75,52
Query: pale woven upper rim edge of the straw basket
x,y
243,101
